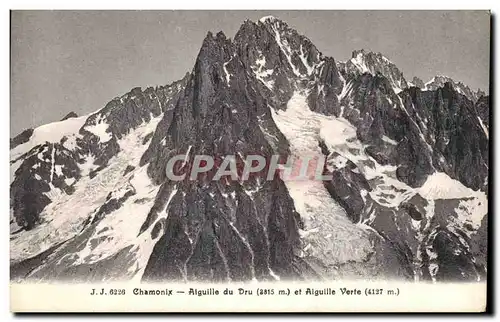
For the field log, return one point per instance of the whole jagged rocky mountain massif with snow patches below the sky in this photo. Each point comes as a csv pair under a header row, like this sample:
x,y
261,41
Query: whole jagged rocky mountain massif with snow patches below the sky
x,y
91,199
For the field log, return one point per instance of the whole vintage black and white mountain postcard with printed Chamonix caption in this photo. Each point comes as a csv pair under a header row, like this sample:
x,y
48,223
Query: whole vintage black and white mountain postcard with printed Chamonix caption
x,y
256,147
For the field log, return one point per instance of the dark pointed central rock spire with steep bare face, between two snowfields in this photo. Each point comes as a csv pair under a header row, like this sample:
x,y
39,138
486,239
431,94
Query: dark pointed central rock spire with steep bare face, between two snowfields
x,y
219,230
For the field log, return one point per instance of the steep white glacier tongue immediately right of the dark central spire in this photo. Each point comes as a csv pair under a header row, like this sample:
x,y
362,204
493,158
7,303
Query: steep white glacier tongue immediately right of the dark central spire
x,y
328,234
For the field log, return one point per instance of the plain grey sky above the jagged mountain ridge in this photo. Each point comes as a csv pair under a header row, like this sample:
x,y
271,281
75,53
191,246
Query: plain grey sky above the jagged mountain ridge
x,y
63,61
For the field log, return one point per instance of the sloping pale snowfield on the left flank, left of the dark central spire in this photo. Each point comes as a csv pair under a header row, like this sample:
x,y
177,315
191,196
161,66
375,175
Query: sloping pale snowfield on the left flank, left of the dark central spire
x,y
64,216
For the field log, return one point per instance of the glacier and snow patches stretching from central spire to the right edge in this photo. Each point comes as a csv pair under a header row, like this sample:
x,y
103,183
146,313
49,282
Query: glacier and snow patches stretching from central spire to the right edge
x,y
325,221
